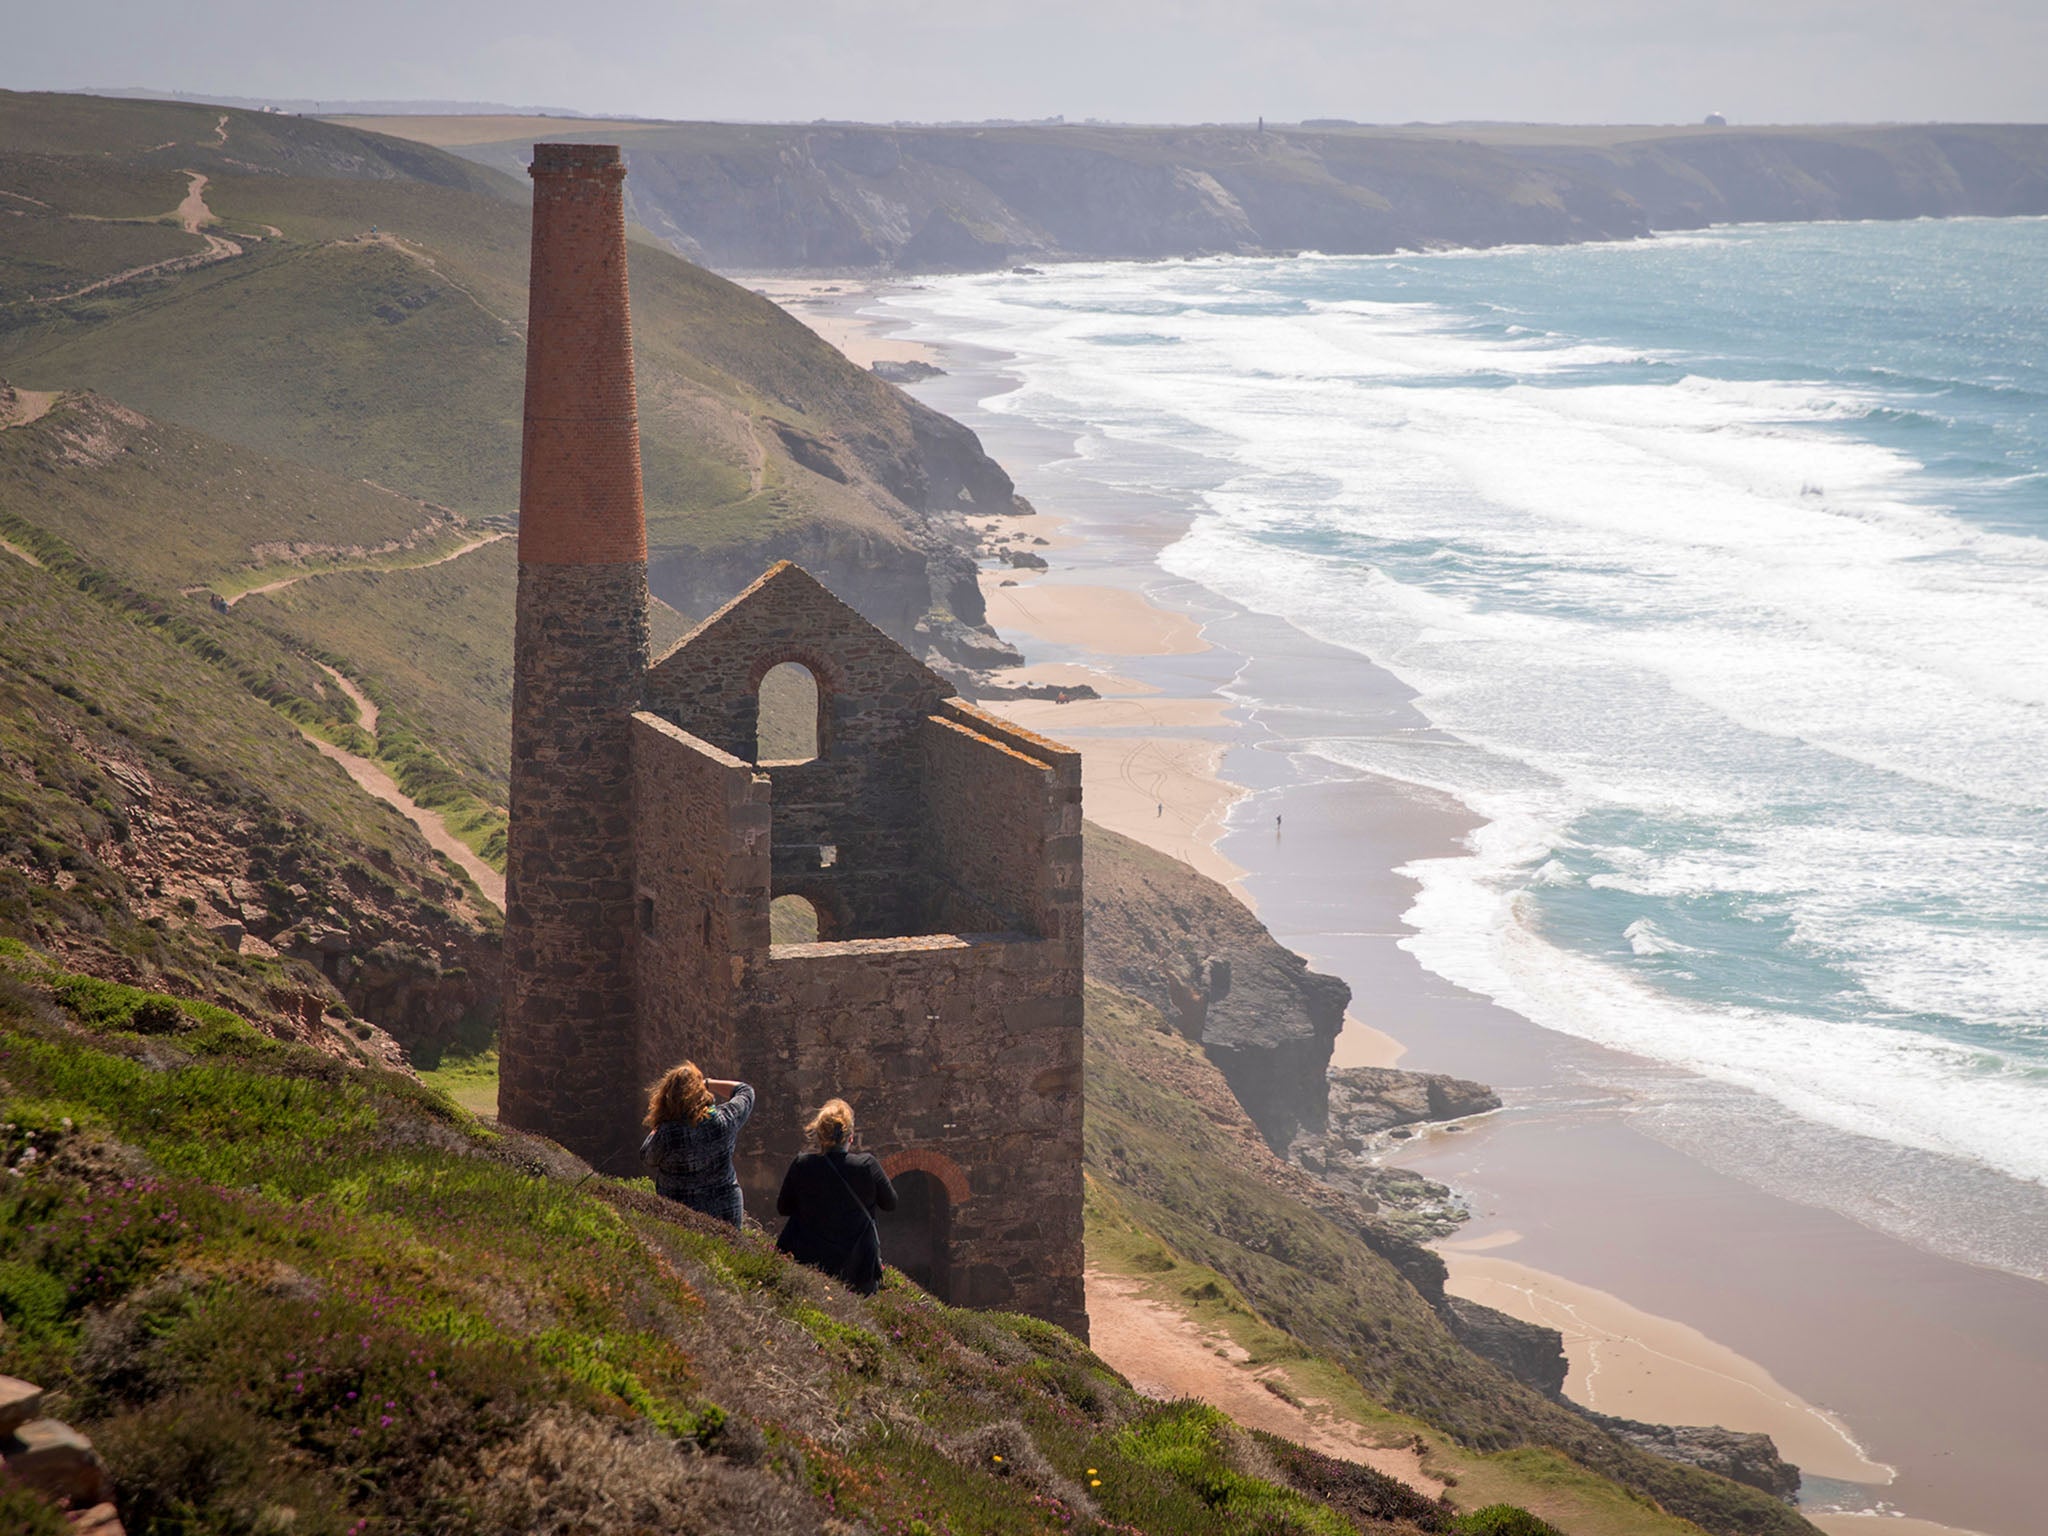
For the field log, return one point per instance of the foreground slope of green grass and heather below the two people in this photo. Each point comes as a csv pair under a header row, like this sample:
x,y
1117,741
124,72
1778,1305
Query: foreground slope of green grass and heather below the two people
x,y
284,1295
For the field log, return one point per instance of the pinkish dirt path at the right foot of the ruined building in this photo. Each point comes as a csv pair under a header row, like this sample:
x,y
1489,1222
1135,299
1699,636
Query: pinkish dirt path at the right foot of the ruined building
x,y
1168,1355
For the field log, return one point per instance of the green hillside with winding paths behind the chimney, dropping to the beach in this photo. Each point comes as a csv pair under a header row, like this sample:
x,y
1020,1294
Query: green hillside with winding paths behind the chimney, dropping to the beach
x,y
374,327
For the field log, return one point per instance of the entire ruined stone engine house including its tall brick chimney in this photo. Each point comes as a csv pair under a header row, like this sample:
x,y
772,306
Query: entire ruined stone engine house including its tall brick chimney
x,y
939,847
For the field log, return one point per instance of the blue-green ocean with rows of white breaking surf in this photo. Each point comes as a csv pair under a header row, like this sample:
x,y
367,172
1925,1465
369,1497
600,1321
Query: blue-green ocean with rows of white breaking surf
x,y
1719,566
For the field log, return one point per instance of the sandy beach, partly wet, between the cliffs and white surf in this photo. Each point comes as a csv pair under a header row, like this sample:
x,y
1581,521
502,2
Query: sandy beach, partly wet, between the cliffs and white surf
x,y
1906,1385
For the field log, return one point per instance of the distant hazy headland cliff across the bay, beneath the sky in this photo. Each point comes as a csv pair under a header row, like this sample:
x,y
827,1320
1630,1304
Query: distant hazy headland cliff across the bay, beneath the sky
x,y
759,198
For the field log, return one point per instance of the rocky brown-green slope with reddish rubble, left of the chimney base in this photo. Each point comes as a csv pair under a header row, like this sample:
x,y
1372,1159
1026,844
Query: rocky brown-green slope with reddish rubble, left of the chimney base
x,y
165,822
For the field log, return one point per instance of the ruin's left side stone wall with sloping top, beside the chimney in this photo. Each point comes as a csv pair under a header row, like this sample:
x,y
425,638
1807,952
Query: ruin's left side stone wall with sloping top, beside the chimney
x,y
701,896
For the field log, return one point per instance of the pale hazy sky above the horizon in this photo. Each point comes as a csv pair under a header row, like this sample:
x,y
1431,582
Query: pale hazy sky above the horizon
x,y
1136,60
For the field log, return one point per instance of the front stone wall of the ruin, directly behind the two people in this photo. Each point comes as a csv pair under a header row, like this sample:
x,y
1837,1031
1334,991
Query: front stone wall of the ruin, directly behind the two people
x,y
957,1052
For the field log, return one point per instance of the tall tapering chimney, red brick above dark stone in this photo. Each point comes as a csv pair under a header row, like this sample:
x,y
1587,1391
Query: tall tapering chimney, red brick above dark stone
x,y
581,660
